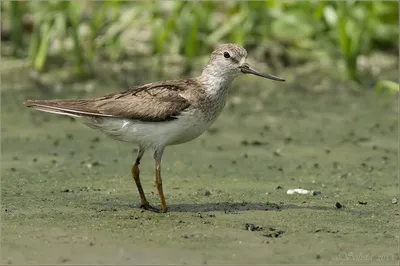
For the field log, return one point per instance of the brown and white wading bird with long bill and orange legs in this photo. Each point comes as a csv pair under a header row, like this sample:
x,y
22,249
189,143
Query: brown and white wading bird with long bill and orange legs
x,y
159,114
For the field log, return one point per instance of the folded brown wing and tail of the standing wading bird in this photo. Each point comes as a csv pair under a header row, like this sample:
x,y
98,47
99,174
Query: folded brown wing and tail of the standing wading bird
x,y
154,102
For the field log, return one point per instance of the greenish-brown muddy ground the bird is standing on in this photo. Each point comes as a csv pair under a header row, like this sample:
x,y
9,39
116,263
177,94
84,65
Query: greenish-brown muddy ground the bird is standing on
x,y
68,196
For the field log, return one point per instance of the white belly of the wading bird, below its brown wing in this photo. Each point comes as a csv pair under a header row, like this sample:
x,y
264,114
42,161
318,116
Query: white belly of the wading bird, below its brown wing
x,y
153,134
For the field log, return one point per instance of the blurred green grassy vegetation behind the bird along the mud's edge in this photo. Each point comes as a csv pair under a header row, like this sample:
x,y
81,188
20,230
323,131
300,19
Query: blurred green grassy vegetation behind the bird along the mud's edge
x,y
282,33
